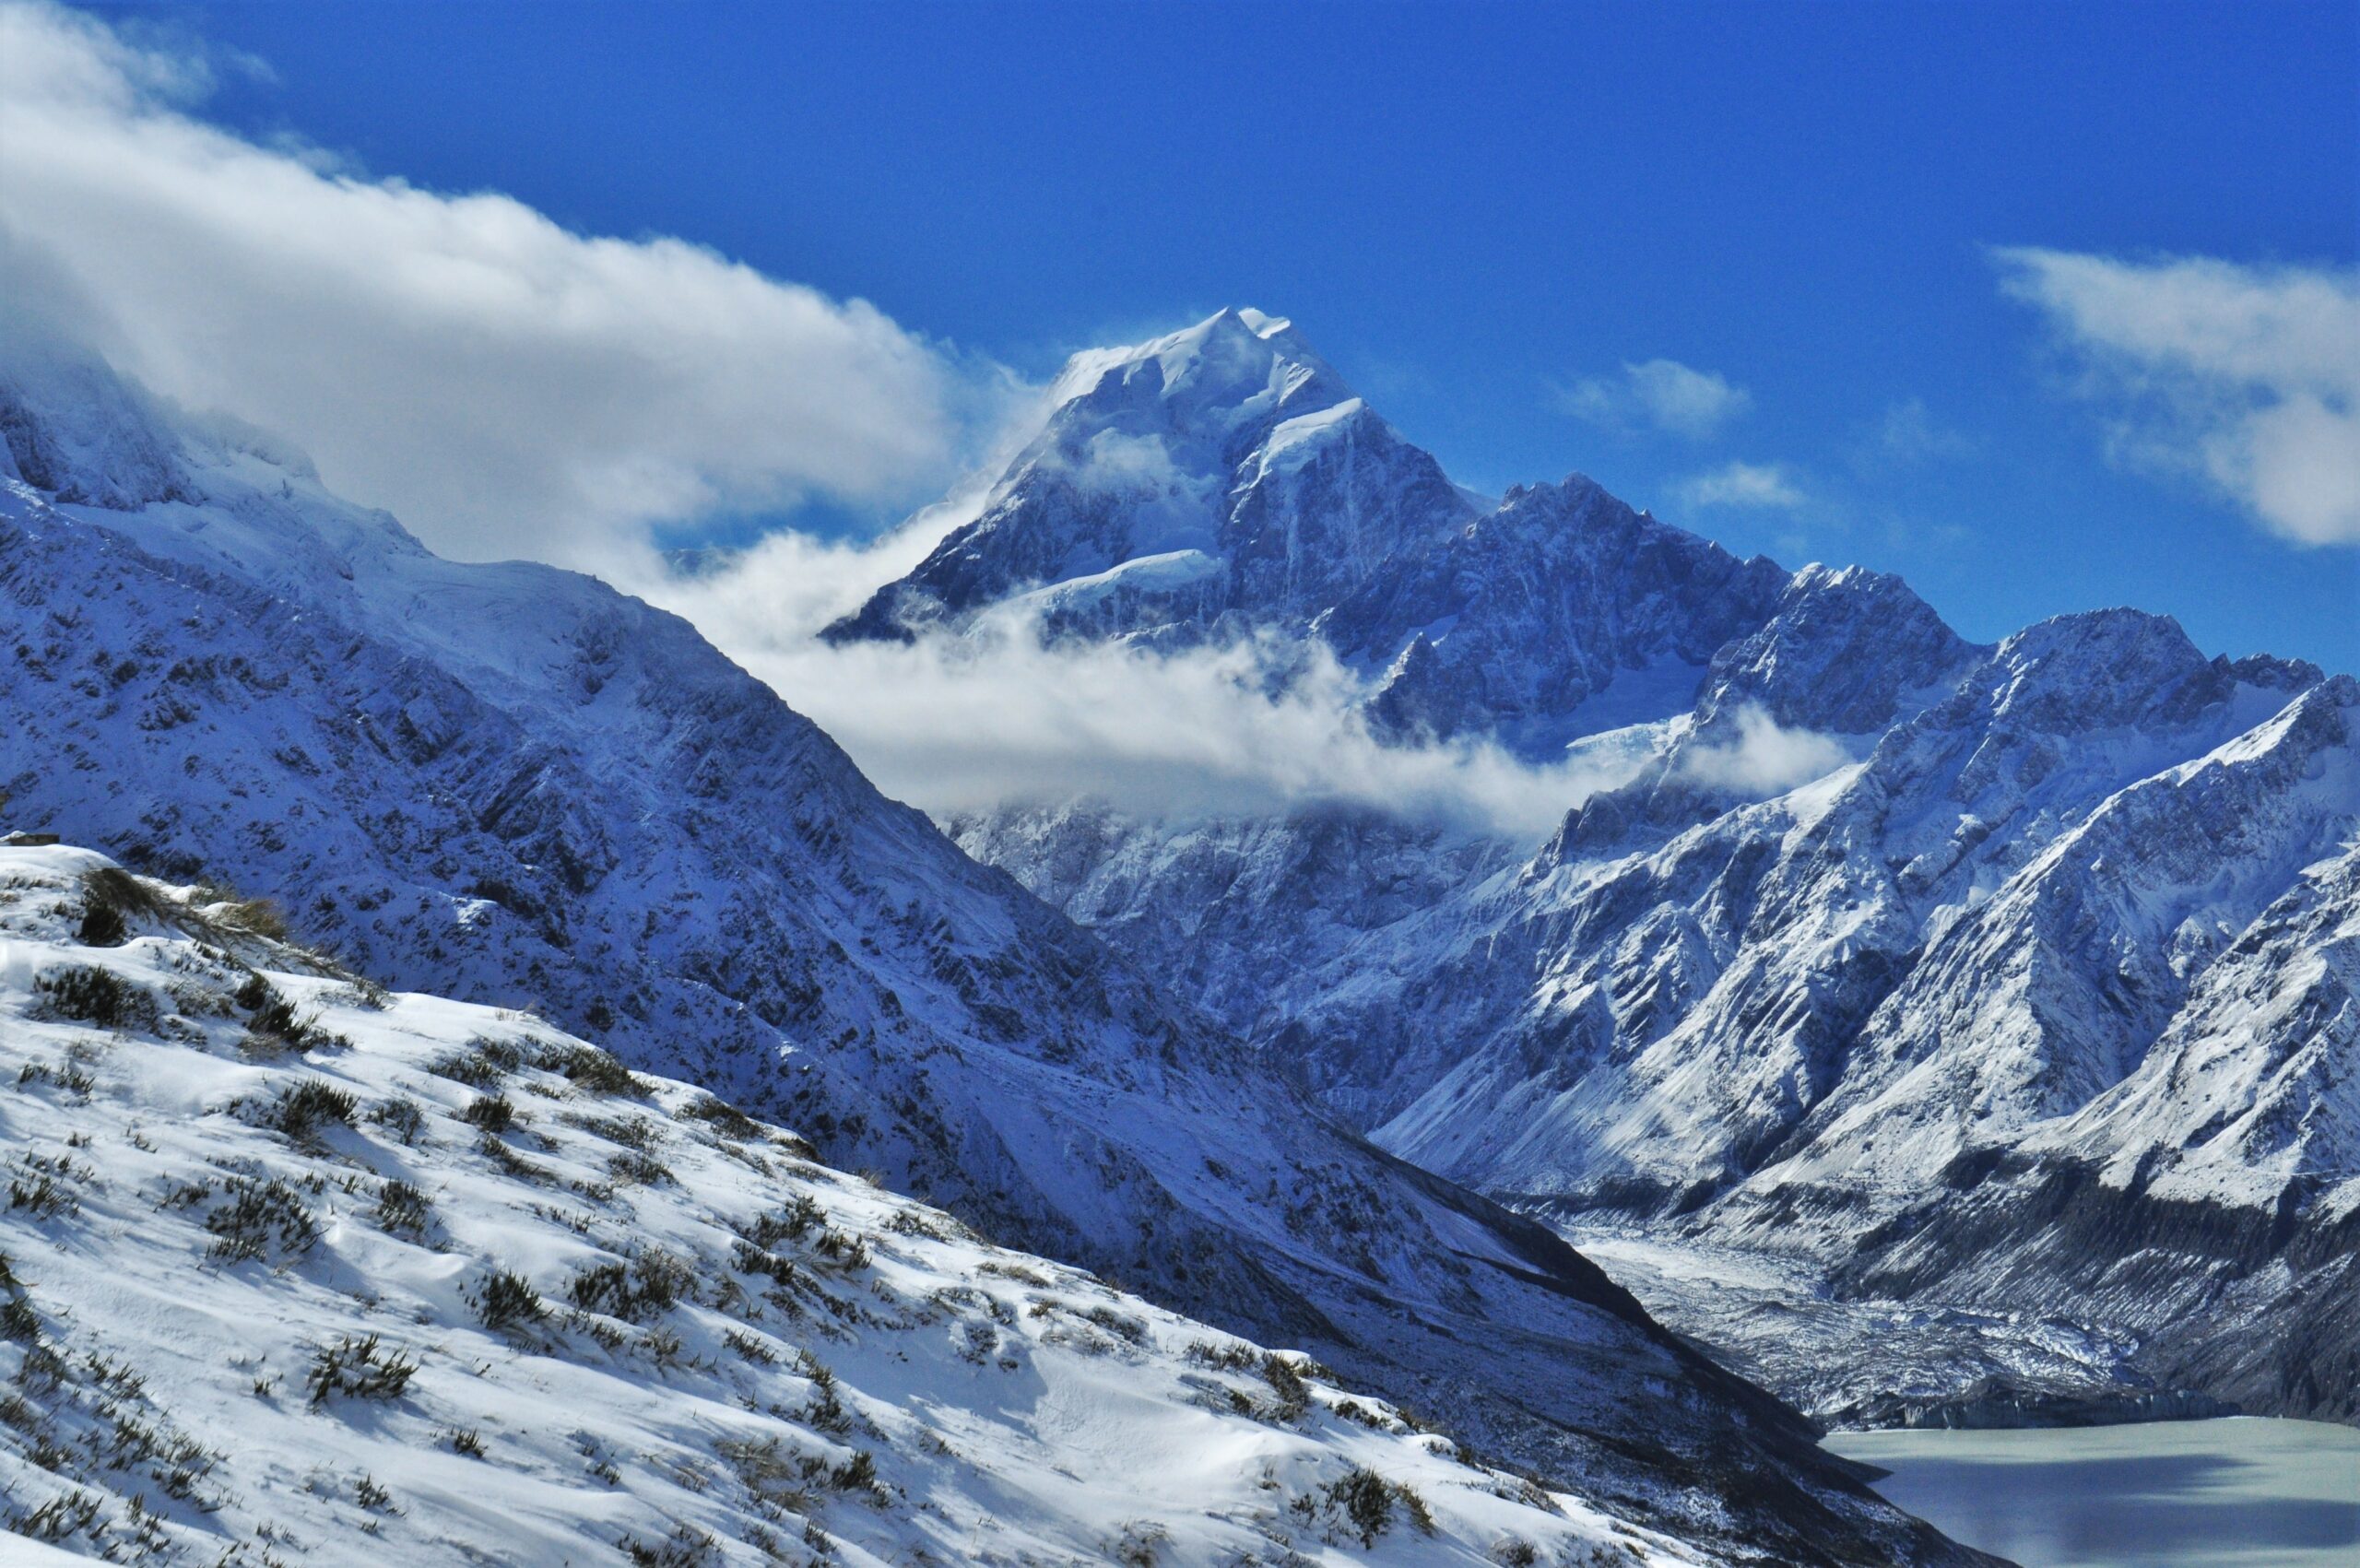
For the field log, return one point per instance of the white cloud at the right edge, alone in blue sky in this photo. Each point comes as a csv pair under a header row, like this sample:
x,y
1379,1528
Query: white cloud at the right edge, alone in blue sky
x,y
2248,377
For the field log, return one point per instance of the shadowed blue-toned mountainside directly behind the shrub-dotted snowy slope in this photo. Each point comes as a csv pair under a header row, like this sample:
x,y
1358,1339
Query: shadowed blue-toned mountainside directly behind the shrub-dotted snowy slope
x,y
511,785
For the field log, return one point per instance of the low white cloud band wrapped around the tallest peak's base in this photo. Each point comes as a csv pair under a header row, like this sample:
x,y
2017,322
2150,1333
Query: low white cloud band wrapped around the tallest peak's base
x,y
955,724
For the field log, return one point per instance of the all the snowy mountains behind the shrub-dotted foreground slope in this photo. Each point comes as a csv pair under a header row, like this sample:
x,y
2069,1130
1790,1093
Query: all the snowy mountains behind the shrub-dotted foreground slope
x,y
1917,1028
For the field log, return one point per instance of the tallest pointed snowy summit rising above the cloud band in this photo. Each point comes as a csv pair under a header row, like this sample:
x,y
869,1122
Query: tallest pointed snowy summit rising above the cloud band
x,y
1202,481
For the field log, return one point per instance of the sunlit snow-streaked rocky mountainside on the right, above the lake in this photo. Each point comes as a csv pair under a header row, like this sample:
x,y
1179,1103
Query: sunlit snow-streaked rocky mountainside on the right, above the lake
x,y
2024,1017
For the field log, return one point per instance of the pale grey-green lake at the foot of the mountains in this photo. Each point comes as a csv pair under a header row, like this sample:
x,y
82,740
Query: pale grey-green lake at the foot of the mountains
x,y
2241,1494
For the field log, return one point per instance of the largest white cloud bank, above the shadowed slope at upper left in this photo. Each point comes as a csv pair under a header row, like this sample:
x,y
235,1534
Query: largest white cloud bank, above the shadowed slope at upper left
x,y
509,386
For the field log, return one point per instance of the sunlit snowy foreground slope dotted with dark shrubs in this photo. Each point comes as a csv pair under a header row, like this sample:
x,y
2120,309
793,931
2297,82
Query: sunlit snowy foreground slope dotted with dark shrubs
x,y
303,1269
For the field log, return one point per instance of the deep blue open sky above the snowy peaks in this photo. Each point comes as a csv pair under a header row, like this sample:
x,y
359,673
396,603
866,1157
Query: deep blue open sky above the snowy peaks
x,y
1481,214
